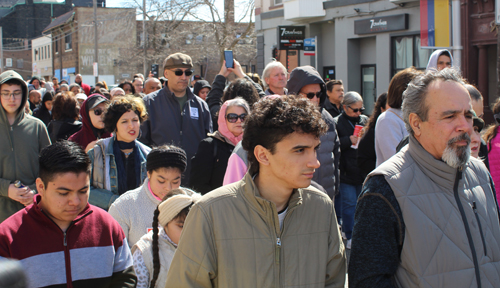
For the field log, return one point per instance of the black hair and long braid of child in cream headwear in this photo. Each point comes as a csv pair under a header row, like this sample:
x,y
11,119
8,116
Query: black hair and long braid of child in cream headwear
x,y
156,231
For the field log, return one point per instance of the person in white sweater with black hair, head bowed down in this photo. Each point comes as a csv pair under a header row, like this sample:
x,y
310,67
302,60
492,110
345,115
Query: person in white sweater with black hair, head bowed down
x,y
134,209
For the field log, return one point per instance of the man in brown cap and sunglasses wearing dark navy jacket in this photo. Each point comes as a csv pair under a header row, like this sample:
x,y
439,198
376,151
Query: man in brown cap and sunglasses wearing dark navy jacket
x,y
176,115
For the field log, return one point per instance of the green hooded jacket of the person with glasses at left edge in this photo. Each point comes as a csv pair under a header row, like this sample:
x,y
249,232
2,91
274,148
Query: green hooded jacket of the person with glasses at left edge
x,y
20,145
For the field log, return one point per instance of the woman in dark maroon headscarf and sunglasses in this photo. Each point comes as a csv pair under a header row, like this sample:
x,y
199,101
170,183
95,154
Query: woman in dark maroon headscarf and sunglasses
x,y
92,115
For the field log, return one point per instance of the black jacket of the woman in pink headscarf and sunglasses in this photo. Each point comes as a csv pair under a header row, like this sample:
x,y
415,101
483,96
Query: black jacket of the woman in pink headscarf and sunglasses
x,y
208,166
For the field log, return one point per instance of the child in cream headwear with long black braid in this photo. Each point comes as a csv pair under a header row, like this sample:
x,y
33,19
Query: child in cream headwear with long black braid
x,y
154,252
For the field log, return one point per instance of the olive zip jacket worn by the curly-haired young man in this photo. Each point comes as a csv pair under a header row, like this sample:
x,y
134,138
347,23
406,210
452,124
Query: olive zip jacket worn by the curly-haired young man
x,y
232,238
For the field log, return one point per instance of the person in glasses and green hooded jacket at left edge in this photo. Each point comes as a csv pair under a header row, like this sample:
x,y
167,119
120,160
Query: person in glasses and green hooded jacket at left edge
x,y
22,137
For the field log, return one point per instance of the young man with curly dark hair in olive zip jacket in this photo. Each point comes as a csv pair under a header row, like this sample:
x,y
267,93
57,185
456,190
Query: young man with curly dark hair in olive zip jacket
x,y
271,229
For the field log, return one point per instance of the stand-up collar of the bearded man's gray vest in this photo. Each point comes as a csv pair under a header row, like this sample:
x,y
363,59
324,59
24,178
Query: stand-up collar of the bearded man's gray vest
x,y
438,171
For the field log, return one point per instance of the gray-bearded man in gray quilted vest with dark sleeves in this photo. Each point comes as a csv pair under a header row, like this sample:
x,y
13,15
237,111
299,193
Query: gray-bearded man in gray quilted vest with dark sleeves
x,y
428,216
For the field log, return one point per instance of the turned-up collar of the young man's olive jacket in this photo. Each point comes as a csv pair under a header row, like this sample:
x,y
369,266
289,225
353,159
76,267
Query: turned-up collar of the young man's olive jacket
x,y
262,206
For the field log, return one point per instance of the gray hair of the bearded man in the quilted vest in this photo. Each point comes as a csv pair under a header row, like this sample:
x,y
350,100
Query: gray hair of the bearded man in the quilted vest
x,y
416,93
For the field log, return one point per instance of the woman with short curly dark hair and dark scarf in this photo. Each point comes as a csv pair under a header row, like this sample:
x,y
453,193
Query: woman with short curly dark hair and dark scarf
x,y
119,162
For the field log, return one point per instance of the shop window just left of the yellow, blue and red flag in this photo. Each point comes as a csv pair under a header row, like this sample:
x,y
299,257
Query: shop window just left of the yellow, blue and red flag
x,y
406,52
